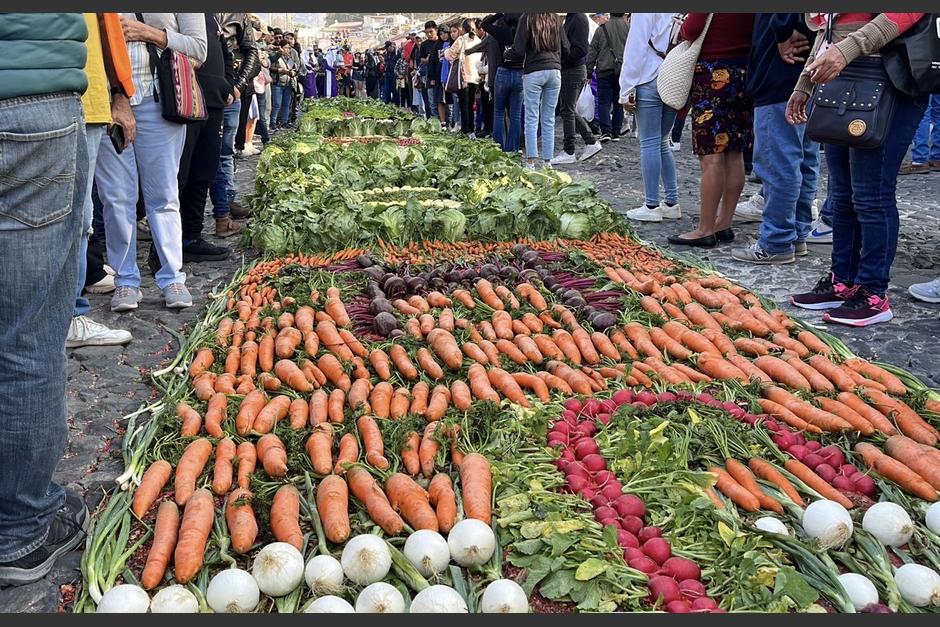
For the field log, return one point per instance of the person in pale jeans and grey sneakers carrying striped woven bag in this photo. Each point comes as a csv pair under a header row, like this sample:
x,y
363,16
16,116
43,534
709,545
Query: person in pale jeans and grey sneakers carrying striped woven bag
x,y
148,168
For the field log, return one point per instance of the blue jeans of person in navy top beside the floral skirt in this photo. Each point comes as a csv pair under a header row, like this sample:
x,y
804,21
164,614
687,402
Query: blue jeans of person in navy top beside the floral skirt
x,y
787,161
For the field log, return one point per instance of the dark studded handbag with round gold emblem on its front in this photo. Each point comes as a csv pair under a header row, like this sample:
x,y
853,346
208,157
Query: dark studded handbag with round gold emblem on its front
x,y
856,108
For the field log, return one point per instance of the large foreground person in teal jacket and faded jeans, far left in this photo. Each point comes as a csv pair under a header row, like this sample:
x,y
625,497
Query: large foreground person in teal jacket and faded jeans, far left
x,y
44,169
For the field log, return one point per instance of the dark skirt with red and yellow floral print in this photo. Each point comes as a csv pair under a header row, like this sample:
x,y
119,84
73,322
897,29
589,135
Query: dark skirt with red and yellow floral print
x,y
721,110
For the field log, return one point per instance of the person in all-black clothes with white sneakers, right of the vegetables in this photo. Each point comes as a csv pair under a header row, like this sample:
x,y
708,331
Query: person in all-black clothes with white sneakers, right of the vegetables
x,y
573,80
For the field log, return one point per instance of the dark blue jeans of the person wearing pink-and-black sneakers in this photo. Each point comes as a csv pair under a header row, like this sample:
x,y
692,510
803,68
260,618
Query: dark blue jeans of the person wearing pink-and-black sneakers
x,y
865,210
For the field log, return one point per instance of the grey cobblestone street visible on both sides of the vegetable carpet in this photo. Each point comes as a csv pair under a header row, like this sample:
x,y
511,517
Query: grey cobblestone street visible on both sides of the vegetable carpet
x,y
105,384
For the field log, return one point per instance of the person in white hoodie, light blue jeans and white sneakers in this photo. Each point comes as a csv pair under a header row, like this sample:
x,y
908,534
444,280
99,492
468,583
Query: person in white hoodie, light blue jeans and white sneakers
x,y
643,55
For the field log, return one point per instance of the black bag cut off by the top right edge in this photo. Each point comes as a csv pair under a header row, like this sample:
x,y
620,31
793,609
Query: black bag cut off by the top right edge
x,y
913,59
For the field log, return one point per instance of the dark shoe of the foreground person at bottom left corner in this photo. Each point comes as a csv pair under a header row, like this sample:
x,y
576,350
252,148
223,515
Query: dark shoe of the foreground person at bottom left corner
x,y
65,533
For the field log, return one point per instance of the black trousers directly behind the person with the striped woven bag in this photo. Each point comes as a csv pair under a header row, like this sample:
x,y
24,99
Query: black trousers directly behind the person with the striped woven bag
x,y
198,166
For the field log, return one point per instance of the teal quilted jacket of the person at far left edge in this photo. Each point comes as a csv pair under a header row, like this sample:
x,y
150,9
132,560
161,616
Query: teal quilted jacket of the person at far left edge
x,y
42,53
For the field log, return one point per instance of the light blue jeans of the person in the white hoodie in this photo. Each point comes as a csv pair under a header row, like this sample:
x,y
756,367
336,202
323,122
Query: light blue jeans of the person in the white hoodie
x,y
654,125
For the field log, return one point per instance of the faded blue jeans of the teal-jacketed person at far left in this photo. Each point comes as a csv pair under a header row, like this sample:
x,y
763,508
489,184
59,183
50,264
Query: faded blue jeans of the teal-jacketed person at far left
x,y
44,169
